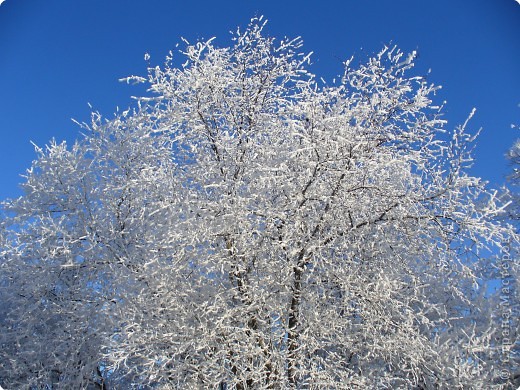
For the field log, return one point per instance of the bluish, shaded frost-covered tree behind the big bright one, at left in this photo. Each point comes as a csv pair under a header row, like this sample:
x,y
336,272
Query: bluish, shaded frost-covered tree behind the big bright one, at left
x,y
73,237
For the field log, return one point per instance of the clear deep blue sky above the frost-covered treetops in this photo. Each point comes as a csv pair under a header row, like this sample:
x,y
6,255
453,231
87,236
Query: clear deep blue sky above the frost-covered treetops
x,y
58,55
